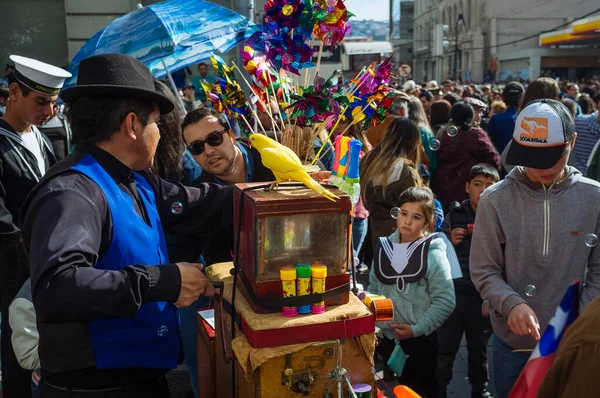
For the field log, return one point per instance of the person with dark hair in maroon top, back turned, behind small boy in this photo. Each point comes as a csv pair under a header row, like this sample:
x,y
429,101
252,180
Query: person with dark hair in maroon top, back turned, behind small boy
x,y
459,152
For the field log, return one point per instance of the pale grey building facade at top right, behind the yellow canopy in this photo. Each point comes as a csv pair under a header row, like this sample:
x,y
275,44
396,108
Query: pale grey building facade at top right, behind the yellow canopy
x,y
496,40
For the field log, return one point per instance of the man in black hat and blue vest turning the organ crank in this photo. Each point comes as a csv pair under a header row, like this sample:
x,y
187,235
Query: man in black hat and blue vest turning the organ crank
x,y
105,293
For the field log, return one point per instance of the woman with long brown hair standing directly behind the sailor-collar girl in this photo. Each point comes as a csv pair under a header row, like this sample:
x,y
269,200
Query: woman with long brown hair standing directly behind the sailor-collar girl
x,y
387,171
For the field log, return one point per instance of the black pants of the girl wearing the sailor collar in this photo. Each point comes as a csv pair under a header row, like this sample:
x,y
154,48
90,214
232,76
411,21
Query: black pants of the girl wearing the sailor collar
x,y
419,370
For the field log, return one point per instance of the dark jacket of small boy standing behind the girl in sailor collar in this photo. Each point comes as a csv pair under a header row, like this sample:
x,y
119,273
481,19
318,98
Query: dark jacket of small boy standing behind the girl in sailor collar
x,y
460,217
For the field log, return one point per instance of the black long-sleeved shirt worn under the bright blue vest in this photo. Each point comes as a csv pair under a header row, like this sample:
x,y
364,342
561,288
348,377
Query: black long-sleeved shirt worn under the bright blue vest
x,y
67,226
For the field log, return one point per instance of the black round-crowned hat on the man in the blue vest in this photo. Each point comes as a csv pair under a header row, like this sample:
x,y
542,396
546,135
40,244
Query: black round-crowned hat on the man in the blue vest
x,y
115,75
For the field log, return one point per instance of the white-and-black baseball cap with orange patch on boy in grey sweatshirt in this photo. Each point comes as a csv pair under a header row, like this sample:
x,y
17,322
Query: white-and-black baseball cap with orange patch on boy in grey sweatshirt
x,y
542,130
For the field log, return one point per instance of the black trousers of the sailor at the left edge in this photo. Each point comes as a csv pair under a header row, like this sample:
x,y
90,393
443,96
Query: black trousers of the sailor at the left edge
x,y
16,381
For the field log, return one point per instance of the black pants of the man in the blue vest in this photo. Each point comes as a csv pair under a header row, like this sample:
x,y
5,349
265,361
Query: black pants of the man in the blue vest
x,y
157,389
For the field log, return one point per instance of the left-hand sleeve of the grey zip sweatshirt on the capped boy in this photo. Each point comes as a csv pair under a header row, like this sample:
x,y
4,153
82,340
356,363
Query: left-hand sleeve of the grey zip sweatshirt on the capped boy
x,y
487,259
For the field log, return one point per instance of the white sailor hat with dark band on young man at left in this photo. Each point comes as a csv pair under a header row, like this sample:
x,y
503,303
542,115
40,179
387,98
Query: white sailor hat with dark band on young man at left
x,y
39,76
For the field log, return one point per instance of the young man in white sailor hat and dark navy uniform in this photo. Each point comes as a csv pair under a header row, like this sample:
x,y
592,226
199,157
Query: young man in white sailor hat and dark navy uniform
x,y
25,155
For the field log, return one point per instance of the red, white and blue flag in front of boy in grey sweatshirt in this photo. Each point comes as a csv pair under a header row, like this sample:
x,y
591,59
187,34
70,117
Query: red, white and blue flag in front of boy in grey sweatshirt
x,y
541,359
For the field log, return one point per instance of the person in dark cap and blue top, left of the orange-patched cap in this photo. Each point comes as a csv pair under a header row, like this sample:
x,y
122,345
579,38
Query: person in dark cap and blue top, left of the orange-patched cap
x,y
501,126
